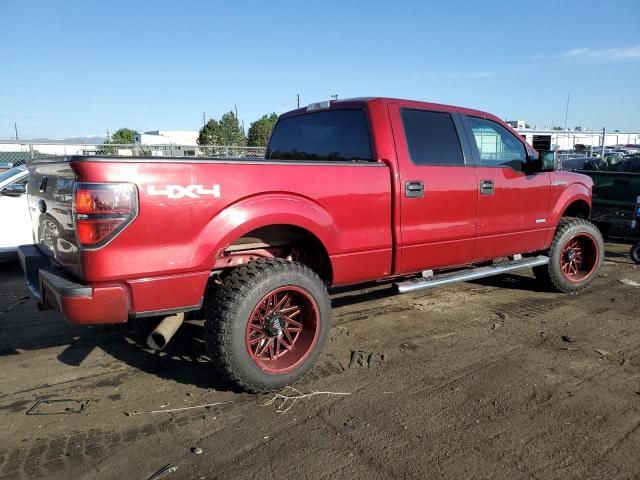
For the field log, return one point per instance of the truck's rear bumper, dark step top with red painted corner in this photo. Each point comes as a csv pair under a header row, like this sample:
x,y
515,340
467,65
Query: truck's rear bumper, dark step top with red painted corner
x,y
79,303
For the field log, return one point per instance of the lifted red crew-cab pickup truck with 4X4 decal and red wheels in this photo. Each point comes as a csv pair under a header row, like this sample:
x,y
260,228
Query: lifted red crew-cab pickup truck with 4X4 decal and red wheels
x,y
350,191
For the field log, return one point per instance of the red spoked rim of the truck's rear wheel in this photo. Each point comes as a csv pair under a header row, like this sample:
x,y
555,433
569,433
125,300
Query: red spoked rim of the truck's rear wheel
x,y
283,329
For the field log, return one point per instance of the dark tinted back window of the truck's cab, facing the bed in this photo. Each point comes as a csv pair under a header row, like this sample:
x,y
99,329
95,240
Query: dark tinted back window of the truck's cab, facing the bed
x,y
332,135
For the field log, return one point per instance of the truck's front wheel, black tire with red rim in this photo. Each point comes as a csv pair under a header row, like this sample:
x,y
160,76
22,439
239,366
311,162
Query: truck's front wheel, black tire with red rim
x,y
558,274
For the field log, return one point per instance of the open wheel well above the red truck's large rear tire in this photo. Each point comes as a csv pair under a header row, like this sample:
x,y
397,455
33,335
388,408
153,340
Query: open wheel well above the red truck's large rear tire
x,y
282,241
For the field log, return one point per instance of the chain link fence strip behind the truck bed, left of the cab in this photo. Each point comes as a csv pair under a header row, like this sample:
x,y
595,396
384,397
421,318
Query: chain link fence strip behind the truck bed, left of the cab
x,y
13,154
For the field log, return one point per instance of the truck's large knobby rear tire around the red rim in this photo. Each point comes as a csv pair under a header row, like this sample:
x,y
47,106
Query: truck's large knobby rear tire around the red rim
x,y
234,307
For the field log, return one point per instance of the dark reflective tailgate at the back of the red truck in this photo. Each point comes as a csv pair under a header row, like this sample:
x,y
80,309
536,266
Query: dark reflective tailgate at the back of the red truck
x,y
50,190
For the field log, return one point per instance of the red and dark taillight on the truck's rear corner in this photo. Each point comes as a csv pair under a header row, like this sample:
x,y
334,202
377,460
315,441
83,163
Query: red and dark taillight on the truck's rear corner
x,y
102,210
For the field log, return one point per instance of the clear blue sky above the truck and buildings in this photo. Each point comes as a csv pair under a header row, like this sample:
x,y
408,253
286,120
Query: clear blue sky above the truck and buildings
x,y
80,68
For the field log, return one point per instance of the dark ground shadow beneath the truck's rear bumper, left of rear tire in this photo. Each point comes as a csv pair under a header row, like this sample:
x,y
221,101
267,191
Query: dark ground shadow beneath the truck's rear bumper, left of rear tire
x,y
24,331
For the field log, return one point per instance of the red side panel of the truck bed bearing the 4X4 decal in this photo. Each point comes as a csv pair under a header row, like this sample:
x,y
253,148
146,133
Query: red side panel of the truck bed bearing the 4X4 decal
x,y
348,207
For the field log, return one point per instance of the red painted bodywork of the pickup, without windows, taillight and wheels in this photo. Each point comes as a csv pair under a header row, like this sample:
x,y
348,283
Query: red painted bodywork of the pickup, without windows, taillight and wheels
x,y
163,259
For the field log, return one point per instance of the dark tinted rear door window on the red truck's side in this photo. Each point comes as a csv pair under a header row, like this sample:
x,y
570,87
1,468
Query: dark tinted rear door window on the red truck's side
x,y
432,138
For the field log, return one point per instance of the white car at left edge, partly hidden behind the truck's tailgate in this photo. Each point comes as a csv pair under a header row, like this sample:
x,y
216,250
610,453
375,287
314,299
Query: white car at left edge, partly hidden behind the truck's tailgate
x,y
15,221
